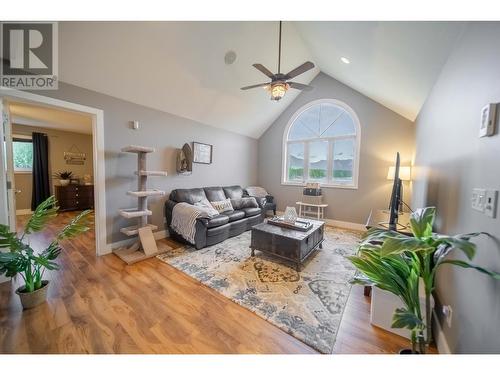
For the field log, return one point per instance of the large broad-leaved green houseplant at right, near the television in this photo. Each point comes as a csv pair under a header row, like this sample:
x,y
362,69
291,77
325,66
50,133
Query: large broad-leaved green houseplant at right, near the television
x,y
425,250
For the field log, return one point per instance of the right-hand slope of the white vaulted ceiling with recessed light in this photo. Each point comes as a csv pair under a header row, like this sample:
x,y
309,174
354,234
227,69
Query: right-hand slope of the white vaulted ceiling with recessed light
x,y
394,63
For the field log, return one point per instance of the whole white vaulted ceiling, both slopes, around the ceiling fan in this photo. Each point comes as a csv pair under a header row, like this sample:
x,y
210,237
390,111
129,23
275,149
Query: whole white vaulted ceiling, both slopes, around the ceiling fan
x,y
179,67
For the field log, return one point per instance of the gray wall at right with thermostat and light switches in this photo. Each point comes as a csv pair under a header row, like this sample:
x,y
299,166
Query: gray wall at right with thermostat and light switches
x,y
451,161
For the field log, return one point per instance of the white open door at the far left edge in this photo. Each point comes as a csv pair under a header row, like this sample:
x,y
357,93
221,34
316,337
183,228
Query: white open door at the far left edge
x,y
7,188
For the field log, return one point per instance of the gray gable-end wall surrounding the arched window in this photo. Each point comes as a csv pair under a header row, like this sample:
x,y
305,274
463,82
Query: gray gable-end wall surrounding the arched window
x,y
383,133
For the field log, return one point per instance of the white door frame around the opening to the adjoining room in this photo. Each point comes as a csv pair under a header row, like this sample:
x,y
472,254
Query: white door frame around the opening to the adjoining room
x,y
98,149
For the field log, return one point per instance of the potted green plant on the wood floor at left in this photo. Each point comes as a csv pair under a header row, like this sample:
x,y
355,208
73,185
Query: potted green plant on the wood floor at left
x,y
22,259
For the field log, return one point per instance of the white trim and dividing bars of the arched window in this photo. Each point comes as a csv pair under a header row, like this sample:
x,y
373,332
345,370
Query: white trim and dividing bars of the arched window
x,y
357,143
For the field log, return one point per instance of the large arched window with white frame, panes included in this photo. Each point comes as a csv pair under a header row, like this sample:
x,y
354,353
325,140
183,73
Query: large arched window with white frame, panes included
x,y
321,144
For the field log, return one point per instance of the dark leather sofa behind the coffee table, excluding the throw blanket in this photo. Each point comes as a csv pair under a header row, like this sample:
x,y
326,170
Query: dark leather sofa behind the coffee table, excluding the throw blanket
x,y
219,228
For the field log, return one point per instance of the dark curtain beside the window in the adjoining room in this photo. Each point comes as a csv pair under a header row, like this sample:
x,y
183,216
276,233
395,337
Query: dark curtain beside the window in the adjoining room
x,y
41,186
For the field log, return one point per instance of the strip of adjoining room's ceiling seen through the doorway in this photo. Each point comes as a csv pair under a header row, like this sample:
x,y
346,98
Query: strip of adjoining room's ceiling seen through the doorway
x,y
50,118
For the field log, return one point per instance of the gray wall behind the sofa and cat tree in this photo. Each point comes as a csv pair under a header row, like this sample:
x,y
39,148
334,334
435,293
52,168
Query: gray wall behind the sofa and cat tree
x,y
234,156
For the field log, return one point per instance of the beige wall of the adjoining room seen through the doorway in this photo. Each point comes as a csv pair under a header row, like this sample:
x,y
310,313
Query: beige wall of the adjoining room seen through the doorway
x,y
59,142
